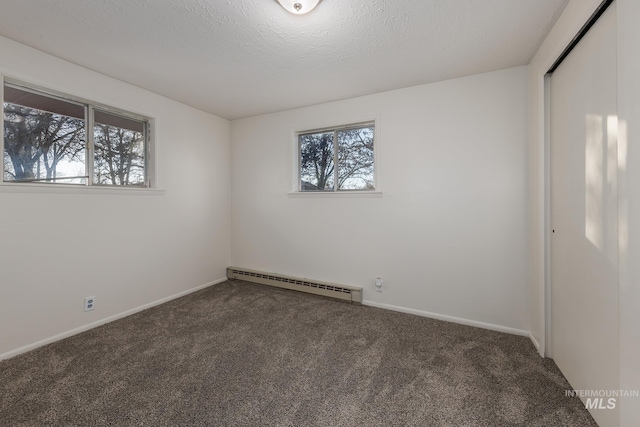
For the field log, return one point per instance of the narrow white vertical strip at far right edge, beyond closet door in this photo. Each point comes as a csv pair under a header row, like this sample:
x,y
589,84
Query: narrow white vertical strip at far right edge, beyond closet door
x,y
629,205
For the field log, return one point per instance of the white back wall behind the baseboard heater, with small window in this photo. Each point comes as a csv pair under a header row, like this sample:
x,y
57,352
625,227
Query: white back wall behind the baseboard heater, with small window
x,y
449,233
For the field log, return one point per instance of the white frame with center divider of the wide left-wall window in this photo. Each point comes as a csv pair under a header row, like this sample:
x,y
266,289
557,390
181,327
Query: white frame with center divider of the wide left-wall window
x,y
149,182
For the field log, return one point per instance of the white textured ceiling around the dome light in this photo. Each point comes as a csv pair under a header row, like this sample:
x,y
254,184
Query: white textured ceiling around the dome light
x,y
239,58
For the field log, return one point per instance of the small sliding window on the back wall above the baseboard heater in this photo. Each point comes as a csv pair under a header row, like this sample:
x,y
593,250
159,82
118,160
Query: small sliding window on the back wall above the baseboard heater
x,y
337,159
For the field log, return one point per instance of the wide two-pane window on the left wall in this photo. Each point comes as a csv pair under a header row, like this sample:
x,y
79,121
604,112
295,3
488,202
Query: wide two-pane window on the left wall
x,y
54,139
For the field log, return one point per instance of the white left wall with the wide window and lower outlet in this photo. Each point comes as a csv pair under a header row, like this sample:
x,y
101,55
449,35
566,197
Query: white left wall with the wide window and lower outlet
x,y
129,249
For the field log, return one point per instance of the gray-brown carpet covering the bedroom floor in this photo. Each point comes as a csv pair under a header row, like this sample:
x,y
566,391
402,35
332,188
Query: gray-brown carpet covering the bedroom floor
x,y
238,354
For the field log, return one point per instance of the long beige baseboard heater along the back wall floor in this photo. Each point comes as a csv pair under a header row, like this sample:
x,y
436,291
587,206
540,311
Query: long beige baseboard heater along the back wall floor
x,y
332,290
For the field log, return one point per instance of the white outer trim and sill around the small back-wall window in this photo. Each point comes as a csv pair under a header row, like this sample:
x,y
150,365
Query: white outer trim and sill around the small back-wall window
x,y
295,162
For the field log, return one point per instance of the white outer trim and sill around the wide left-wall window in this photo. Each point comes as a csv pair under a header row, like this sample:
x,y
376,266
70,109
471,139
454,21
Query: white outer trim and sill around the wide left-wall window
x,y
152,188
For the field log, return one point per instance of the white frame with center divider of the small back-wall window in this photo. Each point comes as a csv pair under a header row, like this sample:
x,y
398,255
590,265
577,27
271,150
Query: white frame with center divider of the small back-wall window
x,y
335,130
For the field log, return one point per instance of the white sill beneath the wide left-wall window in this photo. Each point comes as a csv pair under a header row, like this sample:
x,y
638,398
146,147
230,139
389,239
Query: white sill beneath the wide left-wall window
x,y
8,187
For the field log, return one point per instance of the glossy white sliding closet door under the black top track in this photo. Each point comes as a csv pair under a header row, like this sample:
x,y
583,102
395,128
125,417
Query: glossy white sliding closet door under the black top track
x,y
584,270
